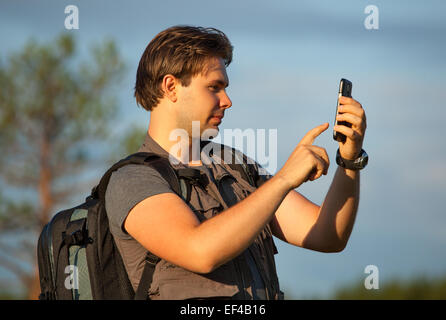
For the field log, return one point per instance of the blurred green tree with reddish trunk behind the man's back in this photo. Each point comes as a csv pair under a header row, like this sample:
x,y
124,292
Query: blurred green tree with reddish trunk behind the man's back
x,y
53,108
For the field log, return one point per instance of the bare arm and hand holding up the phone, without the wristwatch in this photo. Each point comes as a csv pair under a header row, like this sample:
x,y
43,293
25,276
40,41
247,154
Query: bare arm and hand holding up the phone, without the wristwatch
x,y
327,228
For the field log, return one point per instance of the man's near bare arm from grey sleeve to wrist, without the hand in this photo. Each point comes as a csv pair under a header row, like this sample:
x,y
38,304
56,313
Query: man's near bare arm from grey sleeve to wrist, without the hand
x,y
166,226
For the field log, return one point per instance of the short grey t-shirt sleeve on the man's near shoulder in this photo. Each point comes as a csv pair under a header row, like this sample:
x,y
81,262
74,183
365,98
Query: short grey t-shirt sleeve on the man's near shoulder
x,y
129,186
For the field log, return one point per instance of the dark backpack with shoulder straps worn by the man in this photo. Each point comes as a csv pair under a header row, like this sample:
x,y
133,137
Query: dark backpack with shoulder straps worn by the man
x,y
77,256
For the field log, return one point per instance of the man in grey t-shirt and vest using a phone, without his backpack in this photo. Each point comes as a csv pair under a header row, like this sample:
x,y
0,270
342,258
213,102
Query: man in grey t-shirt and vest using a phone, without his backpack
x,y
219,244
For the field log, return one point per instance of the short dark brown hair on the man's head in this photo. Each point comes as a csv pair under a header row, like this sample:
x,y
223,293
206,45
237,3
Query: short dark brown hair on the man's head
x,y
181,51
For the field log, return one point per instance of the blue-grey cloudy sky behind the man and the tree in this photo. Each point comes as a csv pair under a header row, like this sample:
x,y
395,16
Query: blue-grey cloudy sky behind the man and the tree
x,y
288,59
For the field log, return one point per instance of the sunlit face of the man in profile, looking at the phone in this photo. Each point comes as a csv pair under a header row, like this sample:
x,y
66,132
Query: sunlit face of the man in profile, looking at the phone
x,y
204,99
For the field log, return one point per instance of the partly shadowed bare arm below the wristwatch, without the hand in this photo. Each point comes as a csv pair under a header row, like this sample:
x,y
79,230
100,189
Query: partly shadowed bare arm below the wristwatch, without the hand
x,y
324,228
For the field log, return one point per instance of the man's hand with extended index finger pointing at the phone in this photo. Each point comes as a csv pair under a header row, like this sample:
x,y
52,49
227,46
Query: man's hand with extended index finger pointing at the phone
x,y
307,161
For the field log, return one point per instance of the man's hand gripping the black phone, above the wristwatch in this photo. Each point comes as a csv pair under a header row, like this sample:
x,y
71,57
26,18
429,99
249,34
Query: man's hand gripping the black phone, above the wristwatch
x,y
353,113
